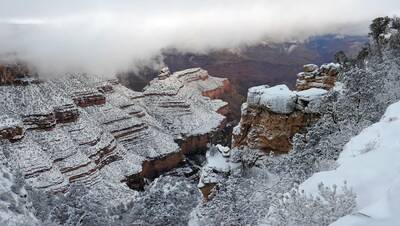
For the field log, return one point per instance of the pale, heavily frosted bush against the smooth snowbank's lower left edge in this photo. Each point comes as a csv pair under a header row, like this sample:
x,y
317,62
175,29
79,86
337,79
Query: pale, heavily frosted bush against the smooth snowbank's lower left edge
x,y
298,208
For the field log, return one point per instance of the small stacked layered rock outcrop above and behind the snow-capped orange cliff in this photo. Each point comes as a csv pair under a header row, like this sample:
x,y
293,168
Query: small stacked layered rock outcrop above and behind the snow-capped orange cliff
x,y
323,77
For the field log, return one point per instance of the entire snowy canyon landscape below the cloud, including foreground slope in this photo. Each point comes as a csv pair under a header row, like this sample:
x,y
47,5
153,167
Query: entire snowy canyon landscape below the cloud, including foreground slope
x,y
187,148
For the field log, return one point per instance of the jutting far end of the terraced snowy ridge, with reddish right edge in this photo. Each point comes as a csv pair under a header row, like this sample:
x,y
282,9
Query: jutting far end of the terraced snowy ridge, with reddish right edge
x,y
167,99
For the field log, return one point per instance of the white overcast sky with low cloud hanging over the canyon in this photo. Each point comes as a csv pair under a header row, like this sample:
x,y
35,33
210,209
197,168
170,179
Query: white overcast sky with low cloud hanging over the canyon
x,y
105,36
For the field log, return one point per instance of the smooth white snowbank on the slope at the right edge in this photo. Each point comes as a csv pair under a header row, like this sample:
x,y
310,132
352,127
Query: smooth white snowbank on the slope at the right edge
x,y
370,163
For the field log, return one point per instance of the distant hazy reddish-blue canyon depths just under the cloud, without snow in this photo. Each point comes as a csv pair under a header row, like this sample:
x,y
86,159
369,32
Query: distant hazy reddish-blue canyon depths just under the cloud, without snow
x,y
264,62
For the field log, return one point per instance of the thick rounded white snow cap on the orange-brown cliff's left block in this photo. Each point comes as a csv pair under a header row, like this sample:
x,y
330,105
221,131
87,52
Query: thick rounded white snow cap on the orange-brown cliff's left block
x,y
279,99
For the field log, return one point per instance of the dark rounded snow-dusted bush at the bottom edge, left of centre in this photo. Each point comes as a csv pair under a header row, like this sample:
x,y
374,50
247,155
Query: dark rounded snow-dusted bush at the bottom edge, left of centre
x,y
168,201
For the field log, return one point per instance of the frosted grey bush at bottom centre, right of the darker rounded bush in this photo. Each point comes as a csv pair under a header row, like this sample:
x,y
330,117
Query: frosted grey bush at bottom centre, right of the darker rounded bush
x,y
240,200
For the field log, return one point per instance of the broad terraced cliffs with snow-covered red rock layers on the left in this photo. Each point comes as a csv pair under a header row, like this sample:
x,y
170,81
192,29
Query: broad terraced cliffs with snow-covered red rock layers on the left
x,y
96,132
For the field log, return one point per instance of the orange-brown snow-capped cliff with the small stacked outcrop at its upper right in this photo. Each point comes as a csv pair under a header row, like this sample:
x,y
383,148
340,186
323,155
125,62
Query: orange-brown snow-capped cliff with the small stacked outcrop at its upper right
x,y
273,115
